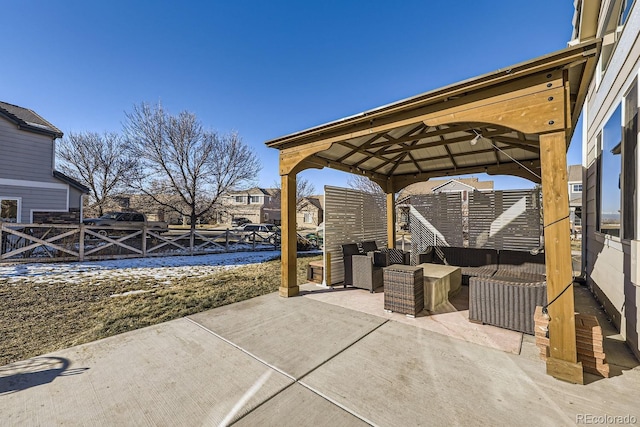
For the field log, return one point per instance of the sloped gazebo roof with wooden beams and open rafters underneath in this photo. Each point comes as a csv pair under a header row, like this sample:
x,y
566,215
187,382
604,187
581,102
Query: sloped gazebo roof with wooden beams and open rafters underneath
x,y
409,139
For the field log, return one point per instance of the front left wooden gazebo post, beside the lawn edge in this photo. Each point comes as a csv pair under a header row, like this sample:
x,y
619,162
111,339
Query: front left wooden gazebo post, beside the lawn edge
x,y
289,282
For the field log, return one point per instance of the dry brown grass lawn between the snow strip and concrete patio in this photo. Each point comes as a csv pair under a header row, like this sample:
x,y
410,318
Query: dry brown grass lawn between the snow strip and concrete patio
x,y
37,319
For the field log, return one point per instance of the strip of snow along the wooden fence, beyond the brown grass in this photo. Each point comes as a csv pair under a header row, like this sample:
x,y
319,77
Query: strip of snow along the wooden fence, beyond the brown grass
x,y
162,269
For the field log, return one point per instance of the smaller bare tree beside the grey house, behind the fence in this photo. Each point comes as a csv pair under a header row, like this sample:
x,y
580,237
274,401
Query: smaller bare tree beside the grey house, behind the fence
x,y
99,162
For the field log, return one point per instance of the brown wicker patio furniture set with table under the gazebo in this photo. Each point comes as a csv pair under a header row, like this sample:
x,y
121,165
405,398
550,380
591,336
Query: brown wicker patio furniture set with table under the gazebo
x,y
505,286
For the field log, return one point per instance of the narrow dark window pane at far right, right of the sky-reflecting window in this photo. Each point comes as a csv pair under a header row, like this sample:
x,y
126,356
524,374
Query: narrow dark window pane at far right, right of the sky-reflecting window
x,y
629,164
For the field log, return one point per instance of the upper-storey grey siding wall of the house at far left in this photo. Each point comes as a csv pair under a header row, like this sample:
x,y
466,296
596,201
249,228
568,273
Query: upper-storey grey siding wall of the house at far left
x,y
25,155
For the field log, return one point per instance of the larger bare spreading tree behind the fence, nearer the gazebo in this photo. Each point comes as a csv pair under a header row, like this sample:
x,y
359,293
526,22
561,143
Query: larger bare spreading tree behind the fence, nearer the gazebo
x,y
180,165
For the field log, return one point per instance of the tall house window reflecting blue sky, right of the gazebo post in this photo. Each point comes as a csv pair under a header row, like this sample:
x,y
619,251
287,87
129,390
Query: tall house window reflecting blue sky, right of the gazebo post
x,y
610,175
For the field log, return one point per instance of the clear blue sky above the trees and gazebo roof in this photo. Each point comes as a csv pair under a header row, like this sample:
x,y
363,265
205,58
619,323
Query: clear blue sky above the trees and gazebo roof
x,y
264,69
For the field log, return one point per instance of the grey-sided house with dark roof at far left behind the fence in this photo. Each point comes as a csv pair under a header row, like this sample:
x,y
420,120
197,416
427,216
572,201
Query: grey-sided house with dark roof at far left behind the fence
x,y
31,190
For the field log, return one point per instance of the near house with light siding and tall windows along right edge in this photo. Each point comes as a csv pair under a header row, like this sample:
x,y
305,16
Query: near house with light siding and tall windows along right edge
x,y
611,223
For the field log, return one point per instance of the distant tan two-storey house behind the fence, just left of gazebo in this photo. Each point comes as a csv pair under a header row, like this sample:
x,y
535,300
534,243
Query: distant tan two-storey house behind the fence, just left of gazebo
x,y
258,205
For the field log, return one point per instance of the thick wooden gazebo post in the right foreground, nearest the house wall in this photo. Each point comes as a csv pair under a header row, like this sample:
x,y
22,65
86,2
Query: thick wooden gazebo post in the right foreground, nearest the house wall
x,y
562,363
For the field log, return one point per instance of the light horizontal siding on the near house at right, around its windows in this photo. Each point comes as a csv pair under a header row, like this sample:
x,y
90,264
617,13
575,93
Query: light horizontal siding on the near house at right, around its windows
x,y
608,260
